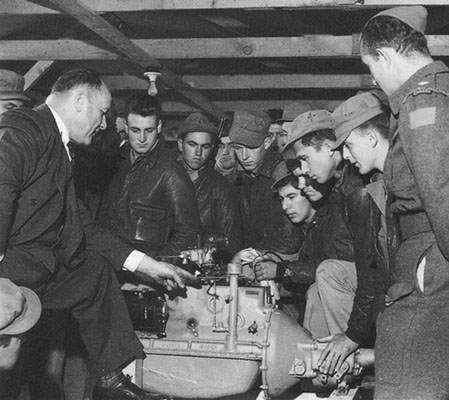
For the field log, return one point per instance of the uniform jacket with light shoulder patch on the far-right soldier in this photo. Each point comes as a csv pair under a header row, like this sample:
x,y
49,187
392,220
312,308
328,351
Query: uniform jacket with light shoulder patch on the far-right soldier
x,y
416,171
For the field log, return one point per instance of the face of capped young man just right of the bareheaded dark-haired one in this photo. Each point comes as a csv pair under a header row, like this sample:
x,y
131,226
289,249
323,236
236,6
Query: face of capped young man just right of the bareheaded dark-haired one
x,y
196,148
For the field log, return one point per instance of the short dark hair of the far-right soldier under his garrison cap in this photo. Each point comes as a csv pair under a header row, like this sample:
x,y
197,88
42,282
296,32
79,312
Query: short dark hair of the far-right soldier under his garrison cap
x,y
386,31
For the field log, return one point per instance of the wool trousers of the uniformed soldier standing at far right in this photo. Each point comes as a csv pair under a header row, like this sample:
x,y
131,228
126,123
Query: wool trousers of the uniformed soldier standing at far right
x,y
412,346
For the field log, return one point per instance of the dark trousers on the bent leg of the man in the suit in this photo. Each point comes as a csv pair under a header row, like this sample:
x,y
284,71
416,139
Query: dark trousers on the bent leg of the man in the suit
x,y
92,293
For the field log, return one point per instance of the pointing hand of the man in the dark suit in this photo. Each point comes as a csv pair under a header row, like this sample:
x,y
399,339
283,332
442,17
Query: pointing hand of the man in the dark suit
x,y
165,274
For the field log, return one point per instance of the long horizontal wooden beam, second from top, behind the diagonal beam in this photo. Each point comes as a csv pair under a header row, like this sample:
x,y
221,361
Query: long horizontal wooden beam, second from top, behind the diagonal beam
x,y
310,46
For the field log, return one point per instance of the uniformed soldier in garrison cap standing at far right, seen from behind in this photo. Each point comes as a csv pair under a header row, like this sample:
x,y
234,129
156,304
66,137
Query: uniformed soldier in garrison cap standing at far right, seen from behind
x,y
412,350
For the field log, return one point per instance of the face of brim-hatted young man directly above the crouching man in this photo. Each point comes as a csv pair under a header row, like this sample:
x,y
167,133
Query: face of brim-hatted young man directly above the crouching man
x,y
318,163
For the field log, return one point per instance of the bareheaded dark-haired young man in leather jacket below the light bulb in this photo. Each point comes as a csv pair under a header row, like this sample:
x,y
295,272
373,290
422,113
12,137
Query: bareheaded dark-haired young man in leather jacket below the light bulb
x,y
150,201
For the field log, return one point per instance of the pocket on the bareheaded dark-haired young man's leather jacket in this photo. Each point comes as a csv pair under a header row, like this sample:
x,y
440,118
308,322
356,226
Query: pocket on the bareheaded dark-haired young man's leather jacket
x,y
152,225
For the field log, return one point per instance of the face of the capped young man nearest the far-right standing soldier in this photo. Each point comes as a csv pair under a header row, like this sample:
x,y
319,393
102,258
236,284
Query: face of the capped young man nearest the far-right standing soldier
x,y
358,149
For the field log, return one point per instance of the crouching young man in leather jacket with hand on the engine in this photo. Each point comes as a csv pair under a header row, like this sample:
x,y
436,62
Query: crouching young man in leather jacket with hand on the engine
x,y
325,237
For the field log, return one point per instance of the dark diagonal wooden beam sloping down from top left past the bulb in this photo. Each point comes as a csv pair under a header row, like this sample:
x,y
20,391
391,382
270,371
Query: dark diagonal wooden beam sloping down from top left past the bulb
x,y
130,50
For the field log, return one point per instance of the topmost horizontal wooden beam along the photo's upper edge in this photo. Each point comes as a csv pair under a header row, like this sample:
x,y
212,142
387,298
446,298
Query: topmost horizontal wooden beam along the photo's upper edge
x,y
9,7
